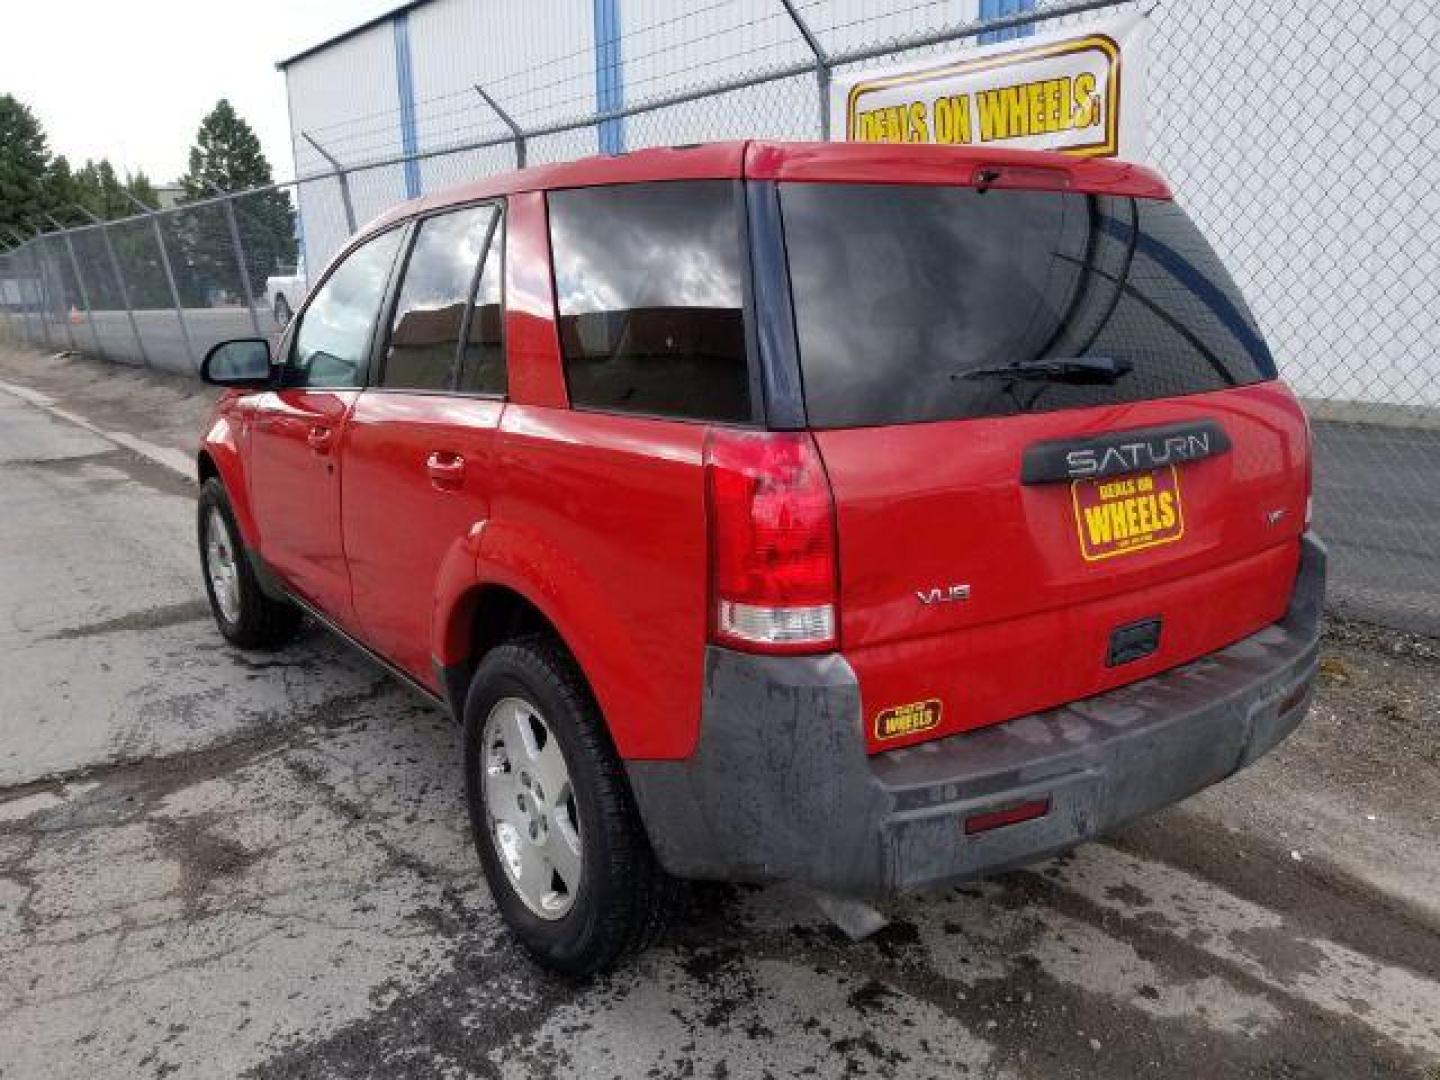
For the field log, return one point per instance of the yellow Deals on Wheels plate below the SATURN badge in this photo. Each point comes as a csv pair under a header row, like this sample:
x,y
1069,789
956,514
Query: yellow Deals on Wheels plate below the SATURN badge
x,y
1124,515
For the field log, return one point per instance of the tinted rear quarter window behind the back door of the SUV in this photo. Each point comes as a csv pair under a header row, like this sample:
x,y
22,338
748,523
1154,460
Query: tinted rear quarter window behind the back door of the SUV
x,y
650,296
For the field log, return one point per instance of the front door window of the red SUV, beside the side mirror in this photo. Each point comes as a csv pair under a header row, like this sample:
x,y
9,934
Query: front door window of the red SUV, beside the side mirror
x,y
333,338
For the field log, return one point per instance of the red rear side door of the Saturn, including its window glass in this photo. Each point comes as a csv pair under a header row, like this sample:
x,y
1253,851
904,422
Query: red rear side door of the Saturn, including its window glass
x,y
420,446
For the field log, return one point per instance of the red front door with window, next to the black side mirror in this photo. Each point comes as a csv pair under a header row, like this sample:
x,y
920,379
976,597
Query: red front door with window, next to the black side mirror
x,y
296,430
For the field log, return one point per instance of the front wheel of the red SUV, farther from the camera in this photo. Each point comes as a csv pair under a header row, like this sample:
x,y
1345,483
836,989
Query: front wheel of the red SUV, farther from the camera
x,y
246,616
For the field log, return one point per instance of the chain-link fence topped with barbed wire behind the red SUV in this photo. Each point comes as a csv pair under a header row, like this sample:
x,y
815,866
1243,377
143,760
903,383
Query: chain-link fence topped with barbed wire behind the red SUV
x,y
1297,135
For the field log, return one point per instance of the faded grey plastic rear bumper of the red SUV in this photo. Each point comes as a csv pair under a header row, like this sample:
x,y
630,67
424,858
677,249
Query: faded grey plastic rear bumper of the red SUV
x,y
781,788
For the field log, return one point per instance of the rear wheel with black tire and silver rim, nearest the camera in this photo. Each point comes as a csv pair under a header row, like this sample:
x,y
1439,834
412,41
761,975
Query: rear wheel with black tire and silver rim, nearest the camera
x,y
617,899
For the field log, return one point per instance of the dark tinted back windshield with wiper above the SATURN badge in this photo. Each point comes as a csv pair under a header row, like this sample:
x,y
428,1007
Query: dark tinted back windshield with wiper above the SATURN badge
x,y
917,303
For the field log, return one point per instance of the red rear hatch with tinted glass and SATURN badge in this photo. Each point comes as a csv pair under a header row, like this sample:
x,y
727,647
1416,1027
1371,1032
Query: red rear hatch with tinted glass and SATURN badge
x,y
1059,453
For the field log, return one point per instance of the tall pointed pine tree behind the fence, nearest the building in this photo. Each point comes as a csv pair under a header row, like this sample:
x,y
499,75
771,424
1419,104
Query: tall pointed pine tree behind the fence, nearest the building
x,y
227,158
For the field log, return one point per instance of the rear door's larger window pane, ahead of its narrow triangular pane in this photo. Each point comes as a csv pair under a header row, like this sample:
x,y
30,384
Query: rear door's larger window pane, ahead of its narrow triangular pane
x,y
431,310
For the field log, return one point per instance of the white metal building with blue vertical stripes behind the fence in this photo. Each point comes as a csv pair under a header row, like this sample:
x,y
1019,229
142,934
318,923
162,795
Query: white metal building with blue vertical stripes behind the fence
x,y
1290,132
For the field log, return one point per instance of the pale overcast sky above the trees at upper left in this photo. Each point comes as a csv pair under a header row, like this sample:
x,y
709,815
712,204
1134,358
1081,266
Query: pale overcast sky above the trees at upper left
x,y
132,80
